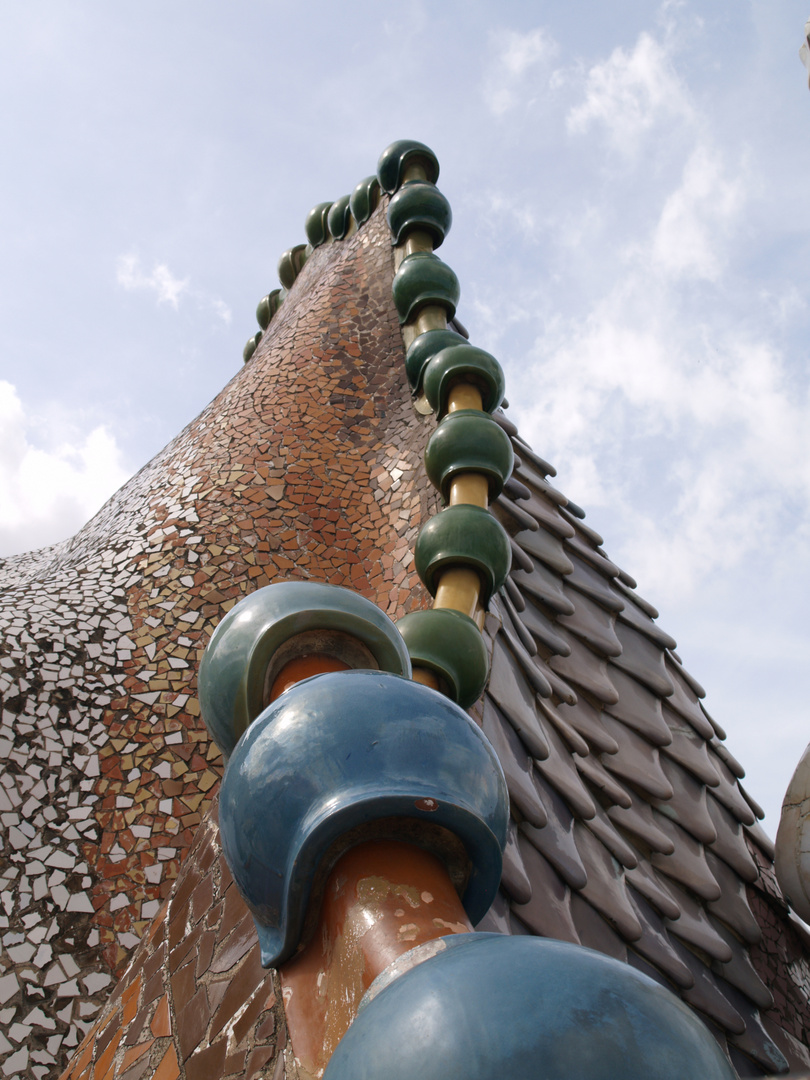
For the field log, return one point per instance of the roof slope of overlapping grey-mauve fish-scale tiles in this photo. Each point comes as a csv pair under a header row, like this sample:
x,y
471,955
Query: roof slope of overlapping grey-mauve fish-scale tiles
x,y
631,832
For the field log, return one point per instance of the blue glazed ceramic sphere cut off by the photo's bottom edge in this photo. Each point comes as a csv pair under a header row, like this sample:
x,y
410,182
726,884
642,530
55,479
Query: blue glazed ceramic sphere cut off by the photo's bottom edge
x,y
526,1009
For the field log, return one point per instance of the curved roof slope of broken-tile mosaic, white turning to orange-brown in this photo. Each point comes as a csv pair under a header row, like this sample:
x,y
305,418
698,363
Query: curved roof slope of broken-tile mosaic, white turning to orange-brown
x,y
307,465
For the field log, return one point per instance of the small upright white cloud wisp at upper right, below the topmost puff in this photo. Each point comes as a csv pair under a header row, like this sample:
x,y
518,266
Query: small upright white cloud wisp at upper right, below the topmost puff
x,y
695,218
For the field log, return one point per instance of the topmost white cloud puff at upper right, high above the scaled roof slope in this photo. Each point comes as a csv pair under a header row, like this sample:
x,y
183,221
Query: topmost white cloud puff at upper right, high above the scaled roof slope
x,y
630,93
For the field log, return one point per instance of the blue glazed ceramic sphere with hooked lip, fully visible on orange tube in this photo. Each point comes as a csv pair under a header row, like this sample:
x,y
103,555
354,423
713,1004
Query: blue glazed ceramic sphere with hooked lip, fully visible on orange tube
x,y
335,755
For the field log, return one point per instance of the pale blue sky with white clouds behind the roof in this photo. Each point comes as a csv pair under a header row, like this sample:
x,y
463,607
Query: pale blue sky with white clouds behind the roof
x,y
630,192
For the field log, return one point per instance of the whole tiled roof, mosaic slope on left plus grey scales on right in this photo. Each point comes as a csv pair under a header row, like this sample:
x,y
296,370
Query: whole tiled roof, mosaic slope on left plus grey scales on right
x,y
630,833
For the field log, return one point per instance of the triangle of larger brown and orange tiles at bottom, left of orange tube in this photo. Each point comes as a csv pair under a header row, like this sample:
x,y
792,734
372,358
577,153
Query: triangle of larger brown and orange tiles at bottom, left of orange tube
x,y
195,1002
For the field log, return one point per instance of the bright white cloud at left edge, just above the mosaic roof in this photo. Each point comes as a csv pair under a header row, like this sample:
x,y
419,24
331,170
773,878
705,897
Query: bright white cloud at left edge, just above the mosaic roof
x,y
48,493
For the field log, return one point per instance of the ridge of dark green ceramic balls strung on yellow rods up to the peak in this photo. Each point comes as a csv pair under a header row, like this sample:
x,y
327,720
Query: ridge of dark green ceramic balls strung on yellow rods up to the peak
x,y
464,553
